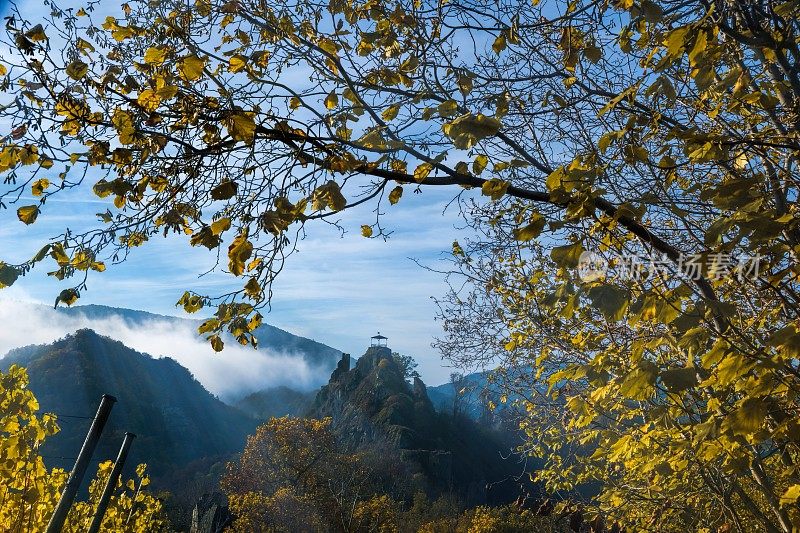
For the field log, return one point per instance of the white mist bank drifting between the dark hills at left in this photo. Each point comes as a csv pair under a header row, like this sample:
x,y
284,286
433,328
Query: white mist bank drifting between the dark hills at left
x,y
234,372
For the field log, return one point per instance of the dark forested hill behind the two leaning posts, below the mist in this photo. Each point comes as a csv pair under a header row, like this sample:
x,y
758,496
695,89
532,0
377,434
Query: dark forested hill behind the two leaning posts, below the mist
x,y
175,419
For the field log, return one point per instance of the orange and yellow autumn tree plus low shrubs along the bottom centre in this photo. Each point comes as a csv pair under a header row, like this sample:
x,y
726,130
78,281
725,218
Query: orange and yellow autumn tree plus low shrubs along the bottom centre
x,y
294,476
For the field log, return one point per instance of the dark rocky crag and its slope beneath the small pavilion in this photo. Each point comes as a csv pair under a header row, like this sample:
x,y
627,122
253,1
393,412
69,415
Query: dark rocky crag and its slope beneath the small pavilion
x,y
372,405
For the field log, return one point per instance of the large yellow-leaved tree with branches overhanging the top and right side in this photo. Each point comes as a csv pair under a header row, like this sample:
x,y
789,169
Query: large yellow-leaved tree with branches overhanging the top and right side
x,y
661,129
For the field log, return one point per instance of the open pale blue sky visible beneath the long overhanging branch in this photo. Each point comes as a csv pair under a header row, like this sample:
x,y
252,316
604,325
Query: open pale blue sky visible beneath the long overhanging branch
x,y
338,290
